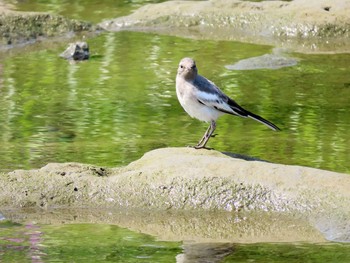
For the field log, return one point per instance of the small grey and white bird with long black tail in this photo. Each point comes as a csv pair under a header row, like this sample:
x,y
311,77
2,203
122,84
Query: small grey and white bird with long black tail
x,y
203,100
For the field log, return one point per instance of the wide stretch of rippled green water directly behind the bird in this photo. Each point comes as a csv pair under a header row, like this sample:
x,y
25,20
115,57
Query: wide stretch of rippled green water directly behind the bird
x,y
121,103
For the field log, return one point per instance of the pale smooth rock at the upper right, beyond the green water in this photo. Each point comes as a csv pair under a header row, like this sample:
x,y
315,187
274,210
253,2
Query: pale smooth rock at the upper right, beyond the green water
x,y
305,26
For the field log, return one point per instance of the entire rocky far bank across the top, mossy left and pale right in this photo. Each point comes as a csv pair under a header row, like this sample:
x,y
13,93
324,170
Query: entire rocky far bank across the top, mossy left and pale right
x,y
307,27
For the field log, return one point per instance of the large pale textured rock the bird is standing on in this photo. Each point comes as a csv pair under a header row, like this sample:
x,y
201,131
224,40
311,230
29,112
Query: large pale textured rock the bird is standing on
x,y
184,179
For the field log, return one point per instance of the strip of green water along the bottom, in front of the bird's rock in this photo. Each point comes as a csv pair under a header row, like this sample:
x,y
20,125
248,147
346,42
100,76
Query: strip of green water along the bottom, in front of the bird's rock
x,y
108,243
